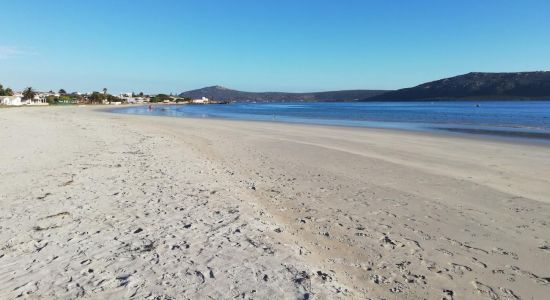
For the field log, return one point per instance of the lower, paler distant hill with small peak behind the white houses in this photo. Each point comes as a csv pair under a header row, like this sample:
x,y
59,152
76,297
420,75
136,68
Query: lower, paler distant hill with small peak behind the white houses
x,y
220,93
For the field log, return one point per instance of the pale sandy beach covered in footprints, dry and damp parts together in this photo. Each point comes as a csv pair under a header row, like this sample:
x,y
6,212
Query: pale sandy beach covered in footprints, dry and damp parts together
x,y
100,205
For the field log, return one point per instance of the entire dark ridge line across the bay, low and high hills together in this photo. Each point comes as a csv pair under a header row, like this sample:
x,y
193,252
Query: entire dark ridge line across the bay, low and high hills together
x,y
470,86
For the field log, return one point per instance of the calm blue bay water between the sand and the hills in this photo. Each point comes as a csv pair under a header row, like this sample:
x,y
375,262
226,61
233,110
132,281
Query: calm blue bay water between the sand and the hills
x,y
527,120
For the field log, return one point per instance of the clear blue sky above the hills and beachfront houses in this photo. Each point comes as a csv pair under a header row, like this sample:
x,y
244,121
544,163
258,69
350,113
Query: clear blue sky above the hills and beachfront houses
x,y
260,45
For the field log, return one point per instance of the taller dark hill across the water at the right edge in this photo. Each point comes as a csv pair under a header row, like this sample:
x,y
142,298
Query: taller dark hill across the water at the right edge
x,y
477,86
